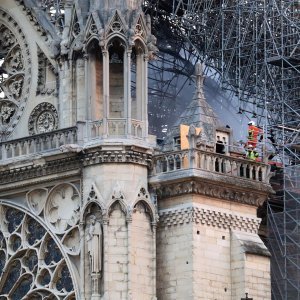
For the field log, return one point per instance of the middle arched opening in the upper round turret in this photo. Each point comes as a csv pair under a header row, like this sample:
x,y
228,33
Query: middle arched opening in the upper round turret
x,y
116,79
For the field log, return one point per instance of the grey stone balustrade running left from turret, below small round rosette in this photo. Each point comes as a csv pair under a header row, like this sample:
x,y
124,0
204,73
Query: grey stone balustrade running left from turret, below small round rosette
x,y
37,143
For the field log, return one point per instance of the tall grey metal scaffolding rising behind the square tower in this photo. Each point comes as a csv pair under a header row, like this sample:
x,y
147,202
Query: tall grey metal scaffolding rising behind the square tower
x,y
252,48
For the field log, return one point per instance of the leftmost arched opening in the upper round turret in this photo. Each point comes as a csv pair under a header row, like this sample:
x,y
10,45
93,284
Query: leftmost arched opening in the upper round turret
x,y
95,81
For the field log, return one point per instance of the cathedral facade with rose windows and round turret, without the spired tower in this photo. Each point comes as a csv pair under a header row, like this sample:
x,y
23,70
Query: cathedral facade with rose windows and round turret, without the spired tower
x,y
76,216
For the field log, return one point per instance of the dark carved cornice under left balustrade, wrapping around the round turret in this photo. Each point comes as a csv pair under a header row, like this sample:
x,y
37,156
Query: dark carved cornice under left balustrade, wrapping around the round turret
x,y
59,163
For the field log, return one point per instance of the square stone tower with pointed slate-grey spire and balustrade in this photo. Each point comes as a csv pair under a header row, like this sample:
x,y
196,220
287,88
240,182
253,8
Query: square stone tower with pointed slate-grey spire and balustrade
x,y
207,239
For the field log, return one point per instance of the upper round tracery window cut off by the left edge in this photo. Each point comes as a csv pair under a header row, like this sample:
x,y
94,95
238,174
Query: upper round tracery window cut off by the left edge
x,y
14,73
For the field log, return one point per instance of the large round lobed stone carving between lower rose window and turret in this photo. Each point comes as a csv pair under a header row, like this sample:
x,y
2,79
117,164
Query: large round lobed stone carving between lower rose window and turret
x,y
62,207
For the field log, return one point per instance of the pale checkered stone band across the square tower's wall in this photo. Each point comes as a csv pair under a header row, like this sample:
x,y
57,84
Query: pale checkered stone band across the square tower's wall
x,y
208,217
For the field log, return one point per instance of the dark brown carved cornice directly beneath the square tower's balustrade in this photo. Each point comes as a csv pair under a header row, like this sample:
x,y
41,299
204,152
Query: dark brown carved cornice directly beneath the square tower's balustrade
x,y
211,190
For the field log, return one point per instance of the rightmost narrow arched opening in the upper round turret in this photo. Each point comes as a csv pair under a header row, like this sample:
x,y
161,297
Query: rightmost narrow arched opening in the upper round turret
x,y
137,78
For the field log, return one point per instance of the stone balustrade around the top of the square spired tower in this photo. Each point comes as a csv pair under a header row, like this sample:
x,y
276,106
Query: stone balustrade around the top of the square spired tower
x,y
212,162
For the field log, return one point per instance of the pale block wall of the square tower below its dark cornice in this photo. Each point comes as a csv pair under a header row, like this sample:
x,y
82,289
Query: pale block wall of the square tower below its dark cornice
x,y
210,252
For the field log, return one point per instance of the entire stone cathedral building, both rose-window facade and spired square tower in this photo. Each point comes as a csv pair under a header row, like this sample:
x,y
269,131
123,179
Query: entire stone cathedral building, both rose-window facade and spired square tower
x,y
82,183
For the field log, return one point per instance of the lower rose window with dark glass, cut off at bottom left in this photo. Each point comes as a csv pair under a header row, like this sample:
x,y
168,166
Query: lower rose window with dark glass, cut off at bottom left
x,y
32,265
